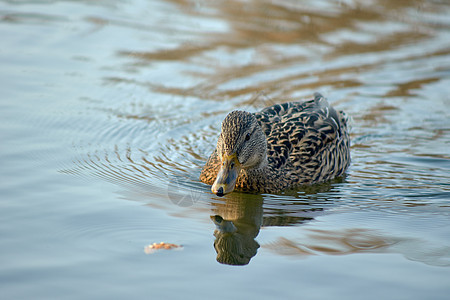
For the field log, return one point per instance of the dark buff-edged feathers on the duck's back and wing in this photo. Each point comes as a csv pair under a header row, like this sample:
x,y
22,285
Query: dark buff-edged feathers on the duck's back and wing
x,y
300,135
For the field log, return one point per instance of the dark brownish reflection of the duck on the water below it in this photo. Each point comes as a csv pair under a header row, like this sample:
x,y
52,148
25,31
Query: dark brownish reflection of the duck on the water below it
x,y
239,216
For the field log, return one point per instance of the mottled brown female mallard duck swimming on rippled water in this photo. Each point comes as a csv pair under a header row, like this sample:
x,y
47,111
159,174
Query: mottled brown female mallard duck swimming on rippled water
x,y
283,146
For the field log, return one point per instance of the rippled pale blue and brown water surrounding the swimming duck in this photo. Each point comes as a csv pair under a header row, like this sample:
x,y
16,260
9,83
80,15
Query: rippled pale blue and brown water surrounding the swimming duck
x,y
110,108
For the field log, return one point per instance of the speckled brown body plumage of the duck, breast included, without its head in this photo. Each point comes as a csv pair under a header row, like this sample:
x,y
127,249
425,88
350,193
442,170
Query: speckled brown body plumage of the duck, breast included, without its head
x,y
307,143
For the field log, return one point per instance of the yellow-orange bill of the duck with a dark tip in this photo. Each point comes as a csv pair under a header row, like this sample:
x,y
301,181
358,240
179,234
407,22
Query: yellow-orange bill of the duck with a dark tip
x,y
227,176
